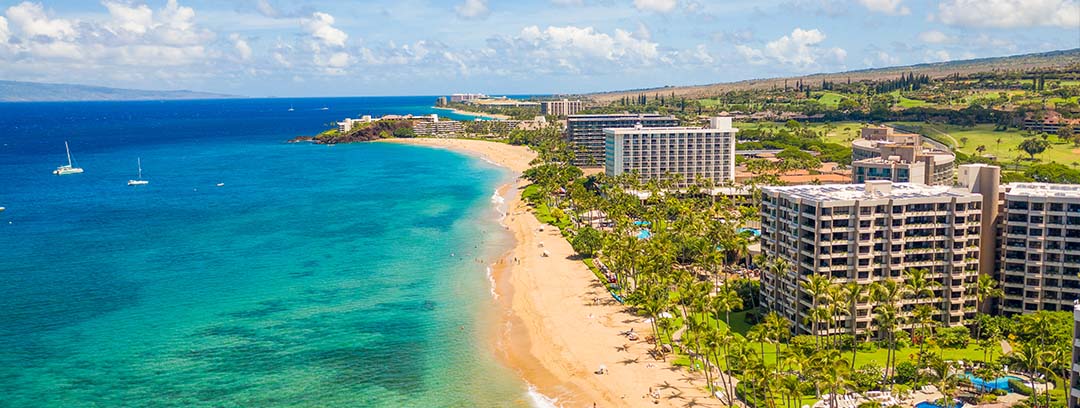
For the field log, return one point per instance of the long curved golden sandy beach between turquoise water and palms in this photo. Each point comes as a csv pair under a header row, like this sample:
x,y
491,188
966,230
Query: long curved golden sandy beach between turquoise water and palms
x,y
562,325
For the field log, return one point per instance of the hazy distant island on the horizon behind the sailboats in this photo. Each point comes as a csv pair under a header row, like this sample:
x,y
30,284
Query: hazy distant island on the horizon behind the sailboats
x,y
19,91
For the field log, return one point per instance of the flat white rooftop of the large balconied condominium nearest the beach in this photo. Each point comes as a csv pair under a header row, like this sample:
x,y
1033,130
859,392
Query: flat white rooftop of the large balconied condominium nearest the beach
x,y
872,191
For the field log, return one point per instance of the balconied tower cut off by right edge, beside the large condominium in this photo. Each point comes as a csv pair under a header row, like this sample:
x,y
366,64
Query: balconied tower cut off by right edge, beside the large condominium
x,y
1041,254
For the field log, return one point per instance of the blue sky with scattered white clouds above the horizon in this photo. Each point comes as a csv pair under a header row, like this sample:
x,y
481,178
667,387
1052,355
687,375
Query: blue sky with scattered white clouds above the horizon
x,y
275,48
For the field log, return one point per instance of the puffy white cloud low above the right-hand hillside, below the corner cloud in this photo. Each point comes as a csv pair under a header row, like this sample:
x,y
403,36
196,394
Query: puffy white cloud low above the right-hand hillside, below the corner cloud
x,y
801,49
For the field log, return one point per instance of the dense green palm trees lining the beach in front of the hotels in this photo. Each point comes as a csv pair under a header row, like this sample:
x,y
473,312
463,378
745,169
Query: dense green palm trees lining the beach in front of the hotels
x,y
690,278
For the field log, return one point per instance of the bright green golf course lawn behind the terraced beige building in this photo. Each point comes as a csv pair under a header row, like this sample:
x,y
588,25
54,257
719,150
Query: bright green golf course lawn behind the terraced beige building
x,y
985,135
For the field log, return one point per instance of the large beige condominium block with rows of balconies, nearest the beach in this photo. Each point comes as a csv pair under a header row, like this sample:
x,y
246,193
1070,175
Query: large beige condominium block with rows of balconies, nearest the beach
x,y
876,232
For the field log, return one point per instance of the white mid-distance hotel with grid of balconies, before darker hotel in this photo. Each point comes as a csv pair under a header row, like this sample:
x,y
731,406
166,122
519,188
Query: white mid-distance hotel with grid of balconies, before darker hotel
x,y
683,155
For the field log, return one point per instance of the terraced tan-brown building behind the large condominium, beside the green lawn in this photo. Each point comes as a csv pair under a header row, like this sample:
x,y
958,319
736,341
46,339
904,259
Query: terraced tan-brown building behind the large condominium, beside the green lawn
x,y
882,154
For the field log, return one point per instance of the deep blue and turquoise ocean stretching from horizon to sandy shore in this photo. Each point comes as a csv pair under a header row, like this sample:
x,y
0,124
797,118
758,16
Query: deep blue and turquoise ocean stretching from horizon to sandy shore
x,y
315,277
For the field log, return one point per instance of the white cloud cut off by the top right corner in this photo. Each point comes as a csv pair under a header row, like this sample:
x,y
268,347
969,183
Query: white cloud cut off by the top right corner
x,y
1010,13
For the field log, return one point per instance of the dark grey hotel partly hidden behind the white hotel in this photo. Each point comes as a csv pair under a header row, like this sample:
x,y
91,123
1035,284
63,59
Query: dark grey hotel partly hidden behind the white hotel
x,y
586,132
